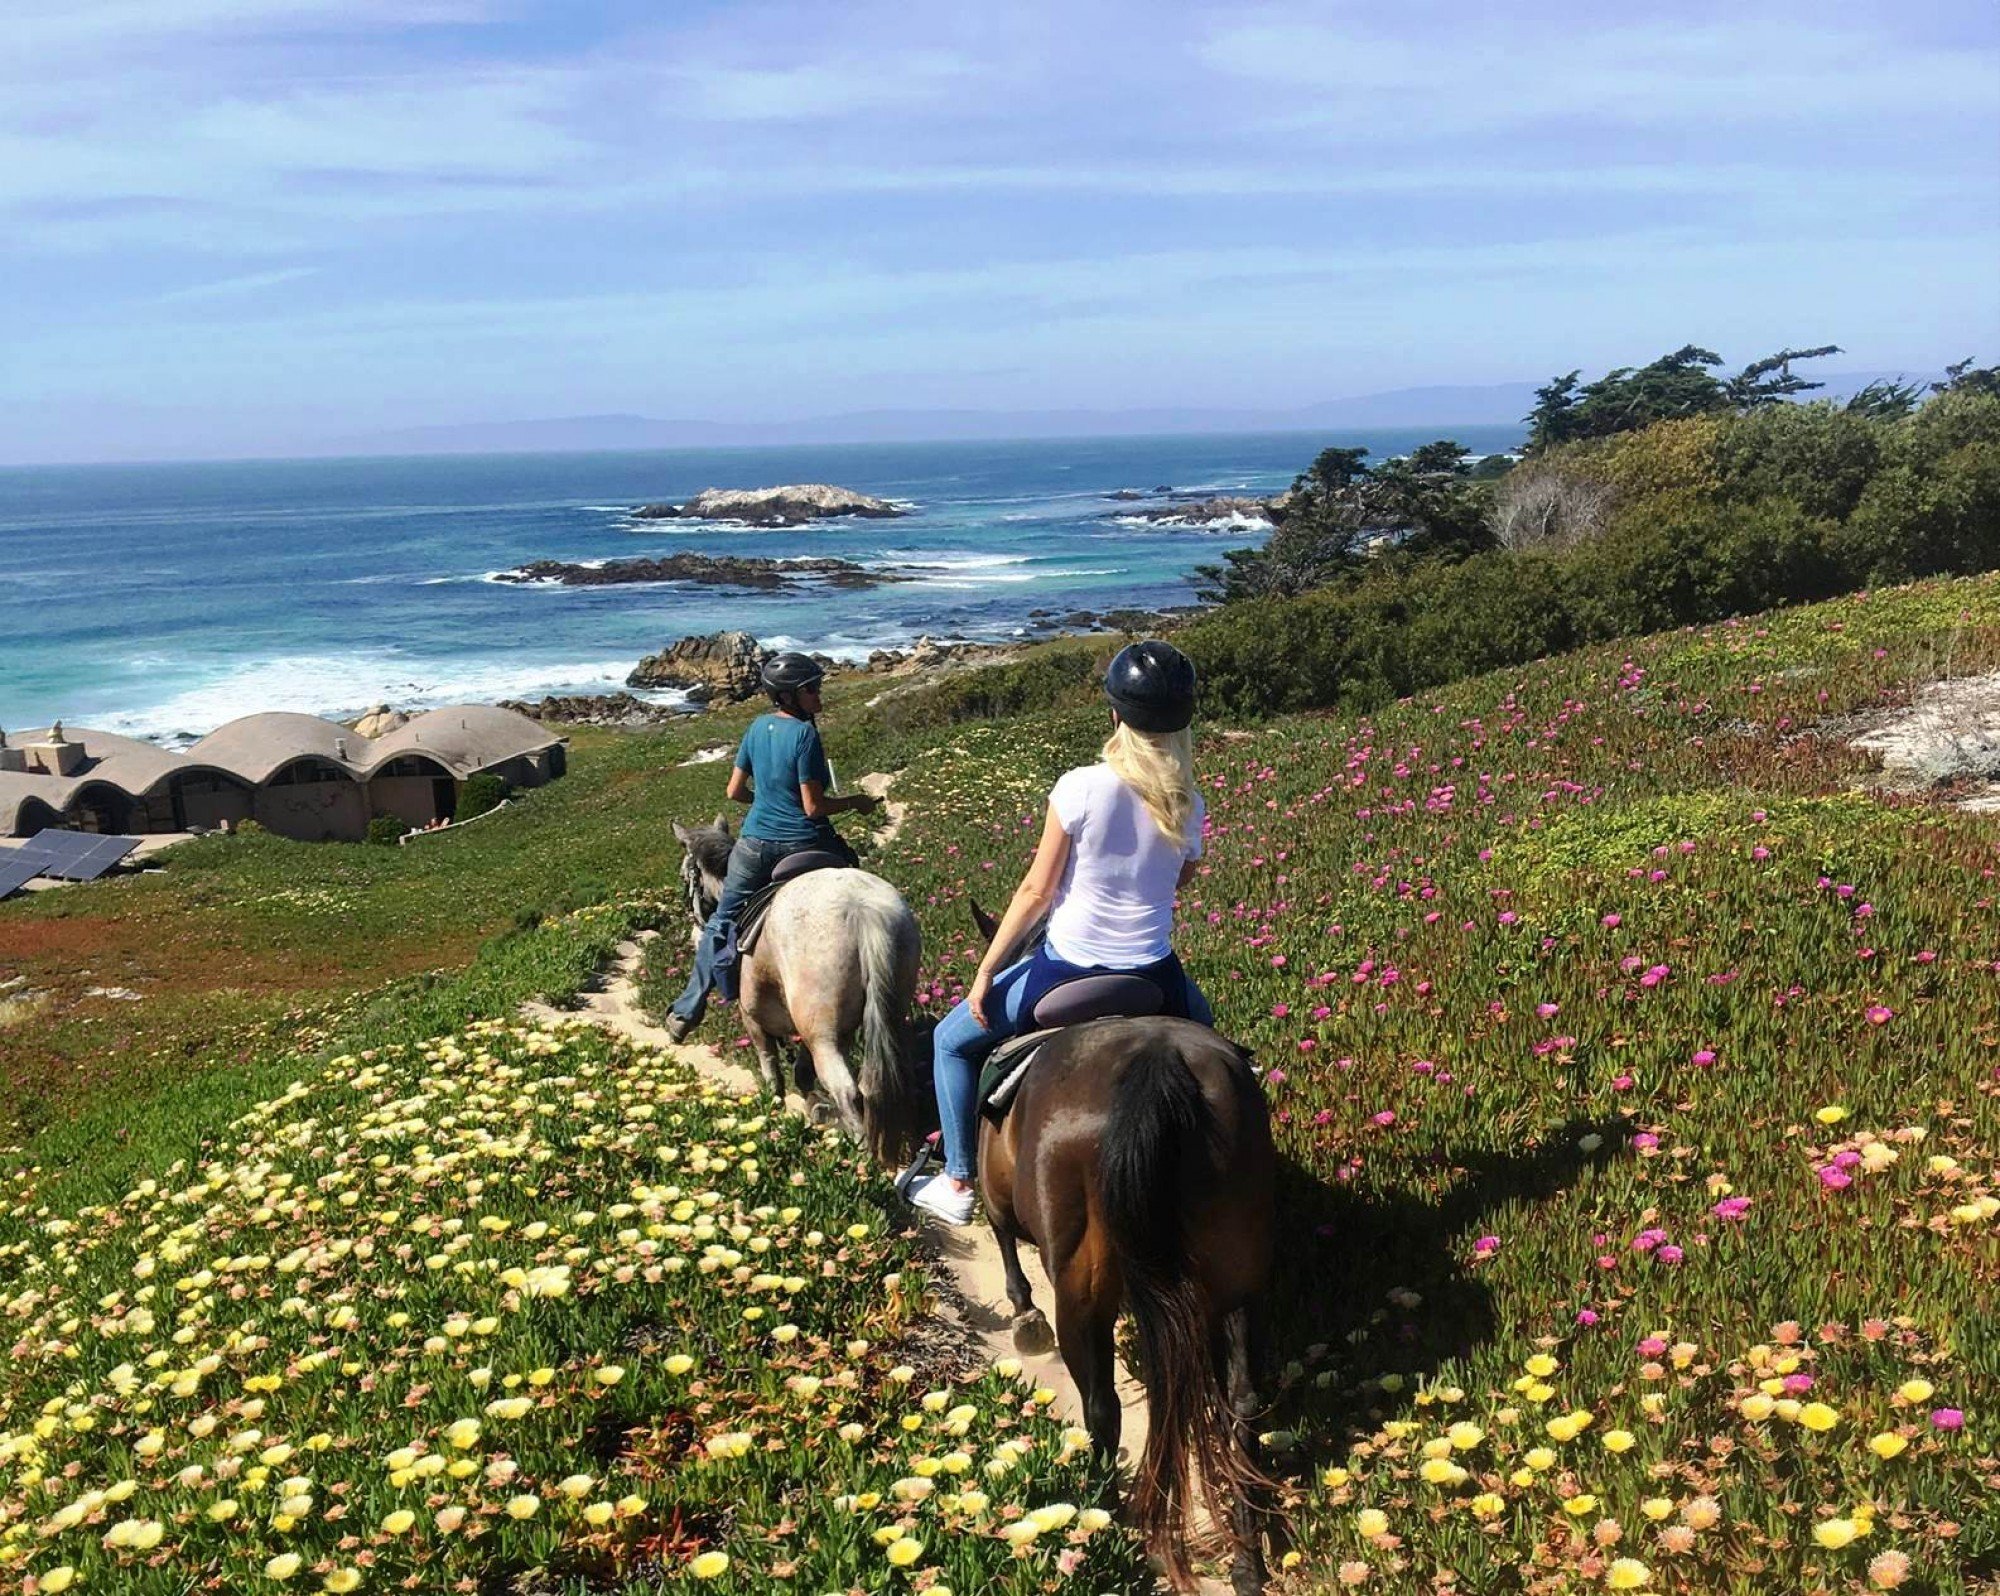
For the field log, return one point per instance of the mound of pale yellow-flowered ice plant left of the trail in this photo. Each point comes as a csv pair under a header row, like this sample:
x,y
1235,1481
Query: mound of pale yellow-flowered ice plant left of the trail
x,y
507,1301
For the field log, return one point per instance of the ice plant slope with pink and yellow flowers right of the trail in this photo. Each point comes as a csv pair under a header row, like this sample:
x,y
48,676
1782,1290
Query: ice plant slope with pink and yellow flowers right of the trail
x,y
1637,1083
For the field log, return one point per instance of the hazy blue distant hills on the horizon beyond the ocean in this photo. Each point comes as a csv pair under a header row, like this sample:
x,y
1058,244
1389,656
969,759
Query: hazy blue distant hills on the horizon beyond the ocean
x,y
1441,407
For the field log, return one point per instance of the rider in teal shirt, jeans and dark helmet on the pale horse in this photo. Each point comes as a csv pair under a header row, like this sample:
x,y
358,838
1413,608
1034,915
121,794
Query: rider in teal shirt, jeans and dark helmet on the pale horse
x,y
783,773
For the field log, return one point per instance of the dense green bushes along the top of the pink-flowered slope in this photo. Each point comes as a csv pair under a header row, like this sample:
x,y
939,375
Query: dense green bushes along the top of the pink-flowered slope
x,y
1681,523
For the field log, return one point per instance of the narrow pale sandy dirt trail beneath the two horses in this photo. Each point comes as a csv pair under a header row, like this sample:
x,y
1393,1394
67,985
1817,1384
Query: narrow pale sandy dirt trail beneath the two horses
x,y
969,1255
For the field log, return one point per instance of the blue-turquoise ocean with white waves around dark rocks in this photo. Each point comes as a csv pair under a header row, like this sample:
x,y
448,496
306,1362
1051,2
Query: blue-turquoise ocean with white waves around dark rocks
x,y
165,601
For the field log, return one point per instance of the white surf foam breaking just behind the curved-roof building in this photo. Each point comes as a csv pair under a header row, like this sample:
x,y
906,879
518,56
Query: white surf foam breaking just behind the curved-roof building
x,y
345,685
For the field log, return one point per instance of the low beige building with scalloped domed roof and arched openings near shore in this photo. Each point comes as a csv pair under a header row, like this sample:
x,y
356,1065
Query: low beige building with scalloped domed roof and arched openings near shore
x,y
293,773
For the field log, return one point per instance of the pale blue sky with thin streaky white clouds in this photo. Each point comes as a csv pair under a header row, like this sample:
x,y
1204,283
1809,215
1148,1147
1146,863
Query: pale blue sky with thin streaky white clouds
x,y
251,227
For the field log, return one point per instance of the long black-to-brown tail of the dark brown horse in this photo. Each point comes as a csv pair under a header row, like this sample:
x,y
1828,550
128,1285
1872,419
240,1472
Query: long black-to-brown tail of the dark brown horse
x,y
1163,1133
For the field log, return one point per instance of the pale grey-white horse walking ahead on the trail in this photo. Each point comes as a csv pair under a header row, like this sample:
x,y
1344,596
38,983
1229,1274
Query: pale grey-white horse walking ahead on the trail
x,y
837,959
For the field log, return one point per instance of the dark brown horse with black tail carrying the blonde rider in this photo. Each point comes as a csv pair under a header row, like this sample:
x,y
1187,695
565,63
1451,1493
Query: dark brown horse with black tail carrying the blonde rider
x,y
1139,1161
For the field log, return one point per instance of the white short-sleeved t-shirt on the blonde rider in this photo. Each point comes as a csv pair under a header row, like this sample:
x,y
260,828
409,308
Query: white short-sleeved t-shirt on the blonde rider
x,y
1115,905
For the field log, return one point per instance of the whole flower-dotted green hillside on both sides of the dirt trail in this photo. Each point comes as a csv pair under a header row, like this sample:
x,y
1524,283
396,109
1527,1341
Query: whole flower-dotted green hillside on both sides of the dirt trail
x,y
1635,1079
